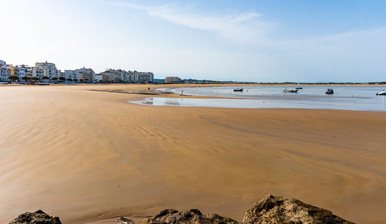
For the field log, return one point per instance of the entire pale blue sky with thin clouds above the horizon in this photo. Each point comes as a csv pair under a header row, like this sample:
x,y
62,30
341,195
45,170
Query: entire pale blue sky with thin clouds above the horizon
x,y
238,40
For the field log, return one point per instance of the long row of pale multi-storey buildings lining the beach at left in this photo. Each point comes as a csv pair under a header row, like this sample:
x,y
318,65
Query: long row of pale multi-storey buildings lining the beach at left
x,y
47,72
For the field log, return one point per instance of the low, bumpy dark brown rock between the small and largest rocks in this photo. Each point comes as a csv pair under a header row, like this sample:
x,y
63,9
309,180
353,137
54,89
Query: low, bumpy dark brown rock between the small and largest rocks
x,y
193,216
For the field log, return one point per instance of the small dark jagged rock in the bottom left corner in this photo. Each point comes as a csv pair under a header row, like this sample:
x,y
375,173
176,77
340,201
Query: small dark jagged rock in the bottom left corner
x,y
38,217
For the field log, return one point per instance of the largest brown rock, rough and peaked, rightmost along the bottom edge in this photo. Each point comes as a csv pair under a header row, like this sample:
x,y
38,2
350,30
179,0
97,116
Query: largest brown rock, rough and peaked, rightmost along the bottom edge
x,y
273,209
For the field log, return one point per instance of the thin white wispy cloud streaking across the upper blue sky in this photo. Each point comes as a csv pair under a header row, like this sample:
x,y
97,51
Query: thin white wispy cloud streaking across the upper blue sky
x,y
244,28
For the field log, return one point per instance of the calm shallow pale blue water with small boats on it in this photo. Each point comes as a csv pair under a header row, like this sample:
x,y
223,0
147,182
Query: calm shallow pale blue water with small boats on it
x,y
361,98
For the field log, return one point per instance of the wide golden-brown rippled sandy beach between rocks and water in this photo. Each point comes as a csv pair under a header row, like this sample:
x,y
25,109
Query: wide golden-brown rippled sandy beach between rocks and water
x,y
88,155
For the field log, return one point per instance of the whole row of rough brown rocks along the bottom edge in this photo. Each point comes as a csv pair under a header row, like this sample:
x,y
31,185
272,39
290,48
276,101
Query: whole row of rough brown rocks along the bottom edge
x,y
270,210
